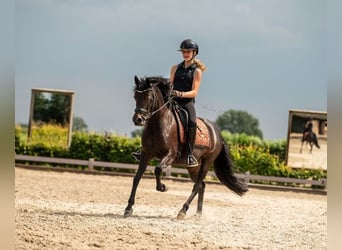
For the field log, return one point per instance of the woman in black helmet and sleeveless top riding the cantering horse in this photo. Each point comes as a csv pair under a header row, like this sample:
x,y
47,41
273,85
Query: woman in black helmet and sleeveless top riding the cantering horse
x,y
186,79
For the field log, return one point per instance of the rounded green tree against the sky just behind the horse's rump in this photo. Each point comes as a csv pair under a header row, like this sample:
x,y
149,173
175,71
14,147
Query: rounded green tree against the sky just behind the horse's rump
x,y
238,122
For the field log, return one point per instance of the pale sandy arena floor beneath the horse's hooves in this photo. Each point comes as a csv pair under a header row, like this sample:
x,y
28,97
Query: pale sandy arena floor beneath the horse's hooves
x,y
55,210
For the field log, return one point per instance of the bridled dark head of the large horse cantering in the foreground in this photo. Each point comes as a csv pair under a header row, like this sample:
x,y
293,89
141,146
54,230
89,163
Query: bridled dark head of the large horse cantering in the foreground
x,y
149,96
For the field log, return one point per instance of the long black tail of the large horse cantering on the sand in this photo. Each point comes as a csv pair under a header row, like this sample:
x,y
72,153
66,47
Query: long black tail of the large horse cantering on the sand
x,y
223,167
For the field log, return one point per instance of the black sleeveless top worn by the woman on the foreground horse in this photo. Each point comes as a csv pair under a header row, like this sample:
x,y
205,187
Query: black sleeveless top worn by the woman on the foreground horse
x,y
183,80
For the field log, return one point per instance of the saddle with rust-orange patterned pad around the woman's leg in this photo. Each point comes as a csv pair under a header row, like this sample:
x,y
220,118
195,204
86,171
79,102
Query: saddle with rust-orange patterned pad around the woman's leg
x,y
202,132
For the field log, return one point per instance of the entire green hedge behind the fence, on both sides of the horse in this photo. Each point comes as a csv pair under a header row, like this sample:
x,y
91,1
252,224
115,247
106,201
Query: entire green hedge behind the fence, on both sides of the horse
x,y
248,153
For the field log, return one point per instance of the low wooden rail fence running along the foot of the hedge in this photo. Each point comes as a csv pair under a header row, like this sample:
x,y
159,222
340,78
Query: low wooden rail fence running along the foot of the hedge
x,y
169,171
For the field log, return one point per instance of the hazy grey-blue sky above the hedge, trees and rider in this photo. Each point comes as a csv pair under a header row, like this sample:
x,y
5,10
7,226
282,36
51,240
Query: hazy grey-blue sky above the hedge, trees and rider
x,y
263,56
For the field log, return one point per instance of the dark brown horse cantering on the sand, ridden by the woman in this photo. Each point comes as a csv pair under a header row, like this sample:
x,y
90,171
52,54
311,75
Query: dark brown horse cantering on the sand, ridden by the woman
x,y
161,139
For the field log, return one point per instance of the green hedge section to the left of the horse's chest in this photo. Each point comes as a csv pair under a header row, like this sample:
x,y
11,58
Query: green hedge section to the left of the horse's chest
x,y
83,146
